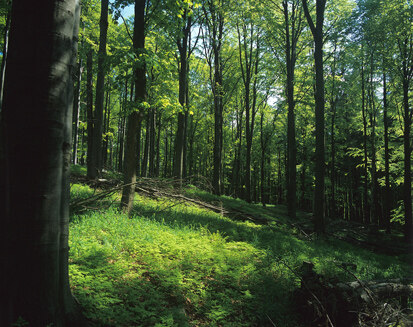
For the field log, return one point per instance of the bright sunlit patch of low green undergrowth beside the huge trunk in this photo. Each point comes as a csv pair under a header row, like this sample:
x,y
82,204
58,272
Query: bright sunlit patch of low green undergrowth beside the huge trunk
x,y
141,272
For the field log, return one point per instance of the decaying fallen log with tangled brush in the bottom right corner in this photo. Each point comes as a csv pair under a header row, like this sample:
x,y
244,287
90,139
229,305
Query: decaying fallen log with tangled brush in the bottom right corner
x,y
321,301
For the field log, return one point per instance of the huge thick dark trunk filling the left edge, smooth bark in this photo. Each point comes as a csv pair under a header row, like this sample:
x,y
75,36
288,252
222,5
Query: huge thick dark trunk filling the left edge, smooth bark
x,y
35,165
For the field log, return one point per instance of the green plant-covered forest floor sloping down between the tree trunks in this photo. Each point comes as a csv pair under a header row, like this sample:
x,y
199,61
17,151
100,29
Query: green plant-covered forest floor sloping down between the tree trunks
x,y
191,258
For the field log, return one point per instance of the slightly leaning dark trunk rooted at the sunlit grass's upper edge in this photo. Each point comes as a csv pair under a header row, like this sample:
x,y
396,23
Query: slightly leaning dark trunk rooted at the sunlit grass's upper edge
x,y
134,119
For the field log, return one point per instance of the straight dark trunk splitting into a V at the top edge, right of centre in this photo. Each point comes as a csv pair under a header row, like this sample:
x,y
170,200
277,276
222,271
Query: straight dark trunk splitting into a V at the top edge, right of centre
x,y
317,31
